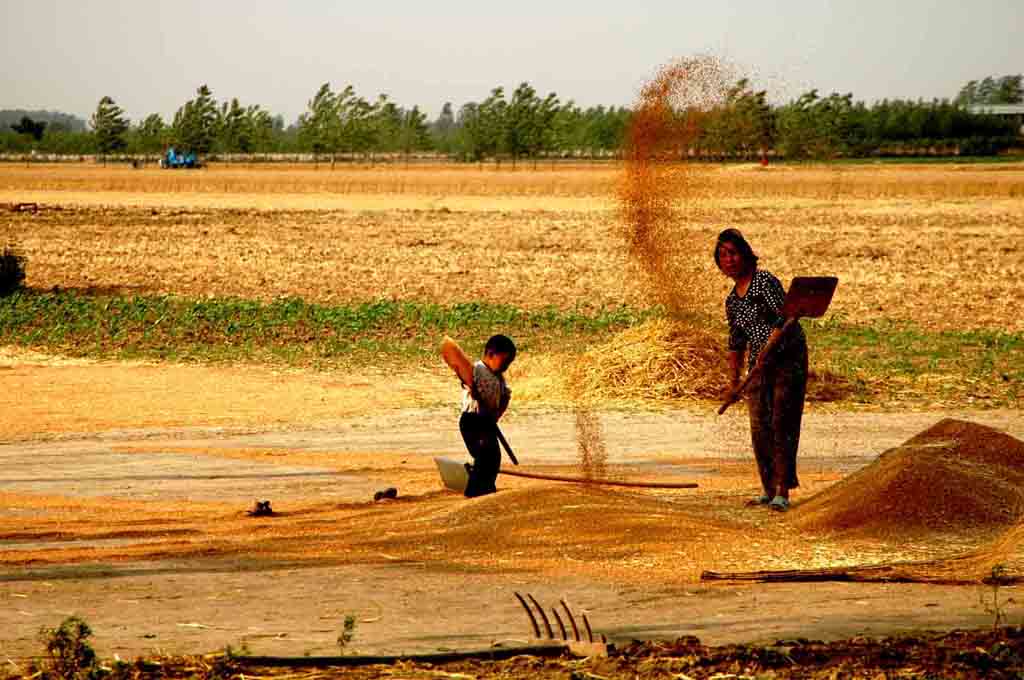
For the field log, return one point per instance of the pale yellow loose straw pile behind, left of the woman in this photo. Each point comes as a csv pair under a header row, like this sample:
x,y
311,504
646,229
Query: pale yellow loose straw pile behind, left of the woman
x,y
661,360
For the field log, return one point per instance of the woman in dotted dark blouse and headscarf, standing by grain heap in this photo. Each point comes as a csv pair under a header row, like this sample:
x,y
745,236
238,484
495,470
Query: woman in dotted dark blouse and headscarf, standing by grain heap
x,y
776,396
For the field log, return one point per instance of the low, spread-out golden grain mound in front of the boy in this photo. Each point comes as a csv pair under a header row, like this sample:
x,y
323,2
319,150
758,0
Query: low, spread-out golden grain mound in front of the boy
x,y
540,528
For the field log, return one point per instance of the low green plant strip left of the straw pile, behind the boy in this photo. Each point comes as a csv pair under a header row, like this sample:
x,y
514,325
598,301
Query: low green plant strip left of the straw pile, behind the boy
x,y
290,331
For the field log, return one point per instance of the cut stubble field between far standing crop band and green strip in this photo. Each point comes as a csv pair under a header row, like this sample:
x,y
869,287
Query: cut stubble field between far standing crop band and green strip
x,y
943,263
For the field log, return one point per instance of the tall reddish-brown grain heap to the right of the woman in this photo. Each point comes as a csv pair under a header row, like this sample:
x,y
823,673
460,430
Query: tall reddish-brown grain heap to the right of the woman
x,y
955,477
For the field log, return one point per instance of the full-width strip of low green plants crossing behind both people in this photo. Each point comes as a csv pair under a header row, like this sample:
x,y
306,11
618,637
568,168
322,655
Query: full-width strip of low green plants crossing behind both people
x,y
877,363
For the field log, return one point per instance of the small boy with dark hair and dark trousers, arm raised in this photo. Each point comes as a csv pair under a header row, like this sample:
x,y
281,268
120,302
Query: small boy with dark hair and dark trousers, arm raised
x,y
485,400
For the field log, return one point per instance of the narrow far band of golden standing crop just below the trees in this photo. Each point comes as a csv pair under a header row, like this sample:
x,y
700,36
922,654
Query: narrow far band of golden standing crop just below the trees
x,y
587,181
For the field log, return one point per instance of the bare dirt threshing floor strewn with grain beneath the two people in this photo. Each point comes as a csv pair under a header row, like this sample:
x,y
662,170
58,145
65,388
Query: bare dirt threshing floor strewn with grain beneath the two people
x,y
123,490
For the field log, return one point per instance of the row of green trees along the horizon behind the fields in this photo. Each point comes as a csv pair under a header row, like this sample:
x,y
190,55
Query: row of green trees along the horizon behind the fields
x,y
525,125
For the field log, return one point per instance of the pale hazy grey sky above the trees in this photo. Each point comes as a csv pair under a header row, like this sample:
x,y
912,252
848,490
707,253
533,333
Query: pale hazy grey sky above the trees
x,y
151,56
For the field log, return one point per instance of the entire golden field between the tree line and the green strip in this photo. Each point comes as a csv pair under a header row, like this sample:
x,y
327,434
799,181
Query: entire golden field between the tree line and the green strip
x,y
942,247
